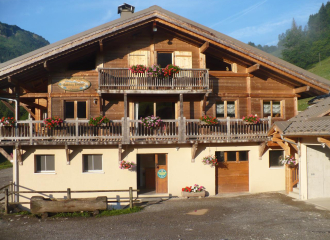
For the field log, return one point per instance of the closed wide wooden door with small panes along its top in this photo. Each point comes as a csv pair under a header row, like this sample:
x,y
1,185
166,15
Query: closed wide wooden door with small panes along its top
x,y
232,173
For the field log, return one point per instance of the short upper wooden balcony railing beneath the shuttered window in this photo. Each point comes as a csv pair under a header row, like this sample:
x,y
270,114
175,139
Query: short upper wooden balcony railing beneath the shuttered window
x,y
124,79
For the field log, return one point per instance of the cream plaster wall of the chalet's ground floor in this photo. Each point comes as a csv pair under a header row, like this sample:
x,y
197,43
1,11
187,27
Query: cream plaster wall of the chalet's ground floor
x,y
181,170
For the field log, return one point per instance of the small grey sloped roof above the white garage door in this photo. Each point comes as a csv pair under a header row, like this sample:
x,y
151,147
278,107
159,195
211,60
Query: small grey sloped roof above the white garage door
x,y
311,122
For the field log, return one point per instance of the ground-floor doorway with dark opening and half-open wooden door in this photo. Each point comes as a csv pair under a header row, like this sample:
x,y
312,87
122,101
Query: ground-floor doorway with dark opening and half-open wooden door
x,y
152,173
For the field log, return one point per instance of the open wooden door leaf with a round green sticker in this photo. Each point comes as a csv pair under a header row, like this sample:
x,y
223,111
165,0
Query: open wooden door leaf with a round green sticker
x,y
161,173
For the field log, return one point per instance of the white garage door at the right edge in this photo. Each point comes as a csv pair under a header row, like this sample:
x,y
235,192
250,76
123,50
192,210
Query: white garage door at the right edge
x,y
318,171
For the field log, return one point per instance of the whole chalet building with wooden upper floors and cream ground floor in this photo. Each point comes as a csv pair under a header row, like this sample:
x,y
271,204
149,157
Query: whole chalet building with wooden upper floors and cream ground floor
x,y
87,75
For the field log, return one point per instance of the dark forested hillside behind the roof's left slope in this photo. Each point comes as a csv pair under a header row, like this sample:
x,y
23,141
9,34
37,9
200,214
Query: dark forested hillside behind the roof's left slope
x,y
15,42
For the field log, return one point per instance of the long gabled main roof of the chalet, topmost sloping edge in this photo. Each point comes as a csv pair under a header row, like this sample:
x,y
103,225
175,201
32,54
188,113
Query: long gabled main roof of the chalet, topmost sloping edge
x,y
96,33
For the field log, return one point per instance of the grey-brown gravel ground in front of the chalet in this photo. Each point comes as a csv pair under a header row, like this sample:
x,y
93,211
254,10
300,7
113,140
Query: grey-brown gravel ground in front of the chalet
x,y
255,216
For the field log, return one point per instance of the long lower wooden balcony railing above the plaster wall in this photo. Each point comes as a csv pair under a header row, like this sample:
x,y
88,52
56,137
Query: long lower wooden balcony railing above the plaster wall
x,y
179,130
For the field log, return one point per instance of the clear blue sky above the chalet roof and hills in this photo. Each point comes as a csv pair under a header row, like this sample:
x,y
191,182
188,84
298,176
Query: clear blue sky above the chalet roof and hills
x,y
259,21
